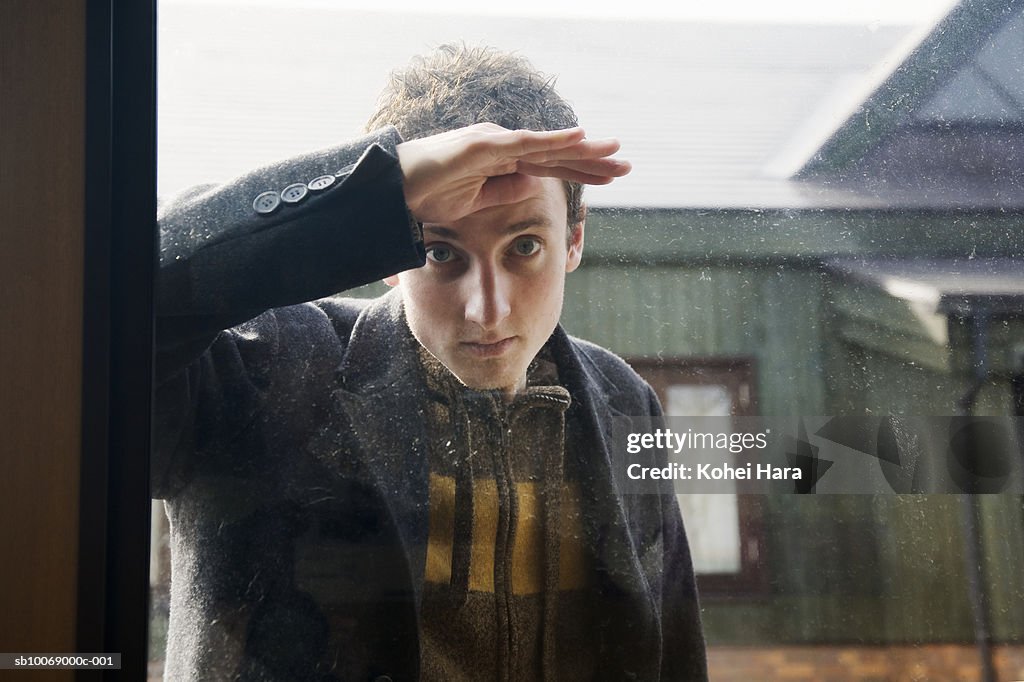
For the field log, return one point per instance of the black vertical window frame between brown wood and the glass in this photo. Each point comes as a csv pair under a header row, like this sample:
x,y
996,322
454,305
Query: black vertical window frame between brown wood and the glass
x,y
118,327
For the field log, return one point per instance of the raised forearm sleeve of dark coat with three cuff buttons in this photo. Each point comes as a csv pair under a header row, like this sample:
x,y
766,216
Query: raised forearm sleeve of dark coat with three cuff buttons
x,y
222,263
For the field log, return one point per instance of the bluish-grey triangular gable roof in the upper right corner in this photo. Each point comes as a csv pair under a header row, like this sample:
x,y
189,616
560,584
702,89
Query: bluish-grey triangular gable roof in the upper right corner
x,y
947,129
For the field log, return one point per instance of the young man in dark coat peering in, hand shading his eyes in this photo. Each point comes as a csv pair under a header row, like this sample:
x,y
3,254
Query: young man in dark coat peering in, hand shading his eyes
x,y
417,487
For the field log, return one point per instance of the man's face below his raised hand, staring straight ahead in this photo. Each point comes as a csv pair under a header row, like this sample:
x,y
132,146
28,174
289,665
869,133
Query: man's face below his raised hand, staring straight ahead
x,y
492,290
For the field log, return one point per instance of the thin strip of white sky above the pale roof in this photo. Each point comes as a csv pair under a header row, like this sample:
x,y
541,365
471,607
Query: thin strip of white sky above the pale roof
x,y
830,12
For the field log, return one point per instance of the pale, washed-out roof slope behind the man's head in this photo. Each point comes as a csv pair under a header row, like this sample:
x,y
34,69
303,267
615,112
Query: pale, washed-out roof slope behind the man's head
x,y
705,112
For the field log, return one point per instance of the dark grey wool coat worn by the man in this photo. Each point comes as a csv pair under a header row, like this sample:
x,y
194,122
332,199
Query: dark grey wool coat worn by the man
x,y
291,448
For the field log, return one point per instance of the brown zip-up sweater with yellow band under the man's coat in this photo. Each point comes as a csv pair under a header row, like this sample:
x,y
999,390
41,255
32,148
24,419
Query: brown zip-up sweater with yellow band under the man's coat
x,y
507,575
